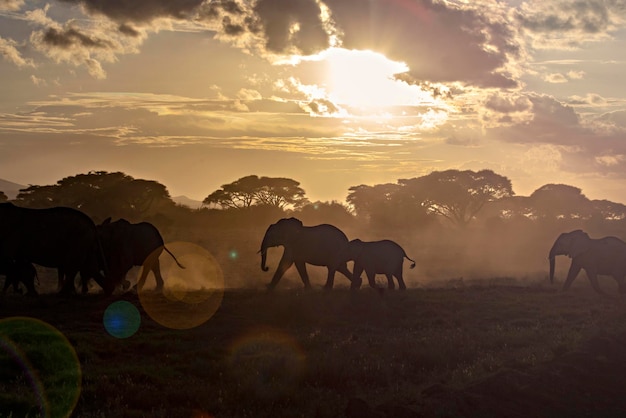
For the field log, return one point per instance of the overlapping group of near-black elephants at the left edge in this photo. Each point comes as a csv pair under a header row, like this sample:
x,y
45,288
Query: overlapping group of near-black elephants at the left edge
x,y
68,240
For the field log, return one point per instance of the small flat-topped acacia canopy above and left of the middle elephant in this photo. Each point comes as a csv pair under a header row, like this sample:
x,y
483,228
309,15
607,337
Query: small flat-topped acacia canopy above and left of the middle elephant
x,y
253,190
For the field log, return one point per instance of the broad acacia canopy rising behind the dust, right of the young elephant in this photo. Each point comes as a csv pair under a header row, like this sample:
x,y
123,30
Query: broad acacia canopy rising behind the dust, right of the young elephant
x,y
458,195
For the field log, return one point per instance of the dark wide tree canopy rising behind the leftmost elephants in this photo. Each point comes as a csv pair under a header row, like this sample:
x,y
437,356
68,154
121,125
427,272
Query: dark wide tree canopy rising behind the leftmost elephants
x,y
100,194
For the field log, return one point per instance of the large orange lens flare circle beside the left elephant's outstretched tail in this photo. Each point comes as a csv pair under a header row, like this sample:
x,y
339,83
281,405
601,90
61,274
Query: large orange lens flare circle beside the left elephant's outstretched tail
x,y
191,295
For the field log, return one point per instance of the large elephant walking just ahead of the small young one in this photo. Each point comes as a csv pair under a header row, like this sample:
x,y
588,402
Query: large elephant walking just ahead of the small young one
x,y
320,245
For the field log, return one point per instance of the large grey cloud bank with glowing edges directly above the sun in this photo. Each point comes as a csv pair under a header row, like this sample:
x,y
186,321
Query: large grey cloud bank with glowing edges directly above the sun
x,y
441,42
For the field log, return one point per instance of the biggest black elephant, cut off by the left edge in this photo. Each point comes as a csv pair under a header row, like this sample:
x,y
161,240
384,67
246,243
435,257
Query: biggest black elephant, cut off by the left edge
x,y
57,237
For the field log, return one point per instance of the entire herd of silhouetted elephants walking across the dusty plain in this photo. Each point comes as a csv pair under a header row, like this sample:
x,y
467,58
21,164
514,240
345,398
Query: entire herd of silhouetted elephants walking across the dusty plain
x,y
68,240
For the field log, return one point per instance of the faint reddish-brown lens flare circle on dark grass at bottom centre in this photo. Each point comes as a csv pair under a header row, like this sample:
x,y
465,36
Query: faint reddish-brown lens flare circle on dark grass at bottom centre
x,y
267,363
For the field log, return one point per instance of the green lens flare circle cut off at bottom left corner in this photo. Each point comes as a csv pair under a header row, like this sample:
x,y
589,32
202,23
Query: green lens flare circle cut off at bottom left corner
x,y
38,350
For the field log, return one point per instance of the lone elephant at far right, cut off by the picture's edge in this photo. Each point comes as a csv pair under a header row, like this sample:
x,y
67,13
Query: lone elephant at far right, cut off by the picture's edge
x,y
604,256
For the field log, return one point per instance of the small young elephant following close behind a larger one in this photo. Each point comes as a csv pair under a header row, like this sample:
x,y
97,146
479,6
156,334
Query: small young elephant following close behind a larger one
x,y
377,257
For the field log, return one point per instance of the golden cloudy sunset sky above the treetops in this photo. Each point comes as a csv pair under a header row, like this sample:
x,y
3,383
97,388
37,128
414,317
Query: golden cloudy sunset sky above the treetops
x,y
331,93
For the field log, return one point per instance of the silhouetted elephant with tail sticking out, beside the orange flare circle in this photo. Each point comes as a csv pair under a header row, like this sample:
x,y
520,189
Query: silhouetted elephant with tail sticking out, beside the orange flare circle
x,y
126,245
